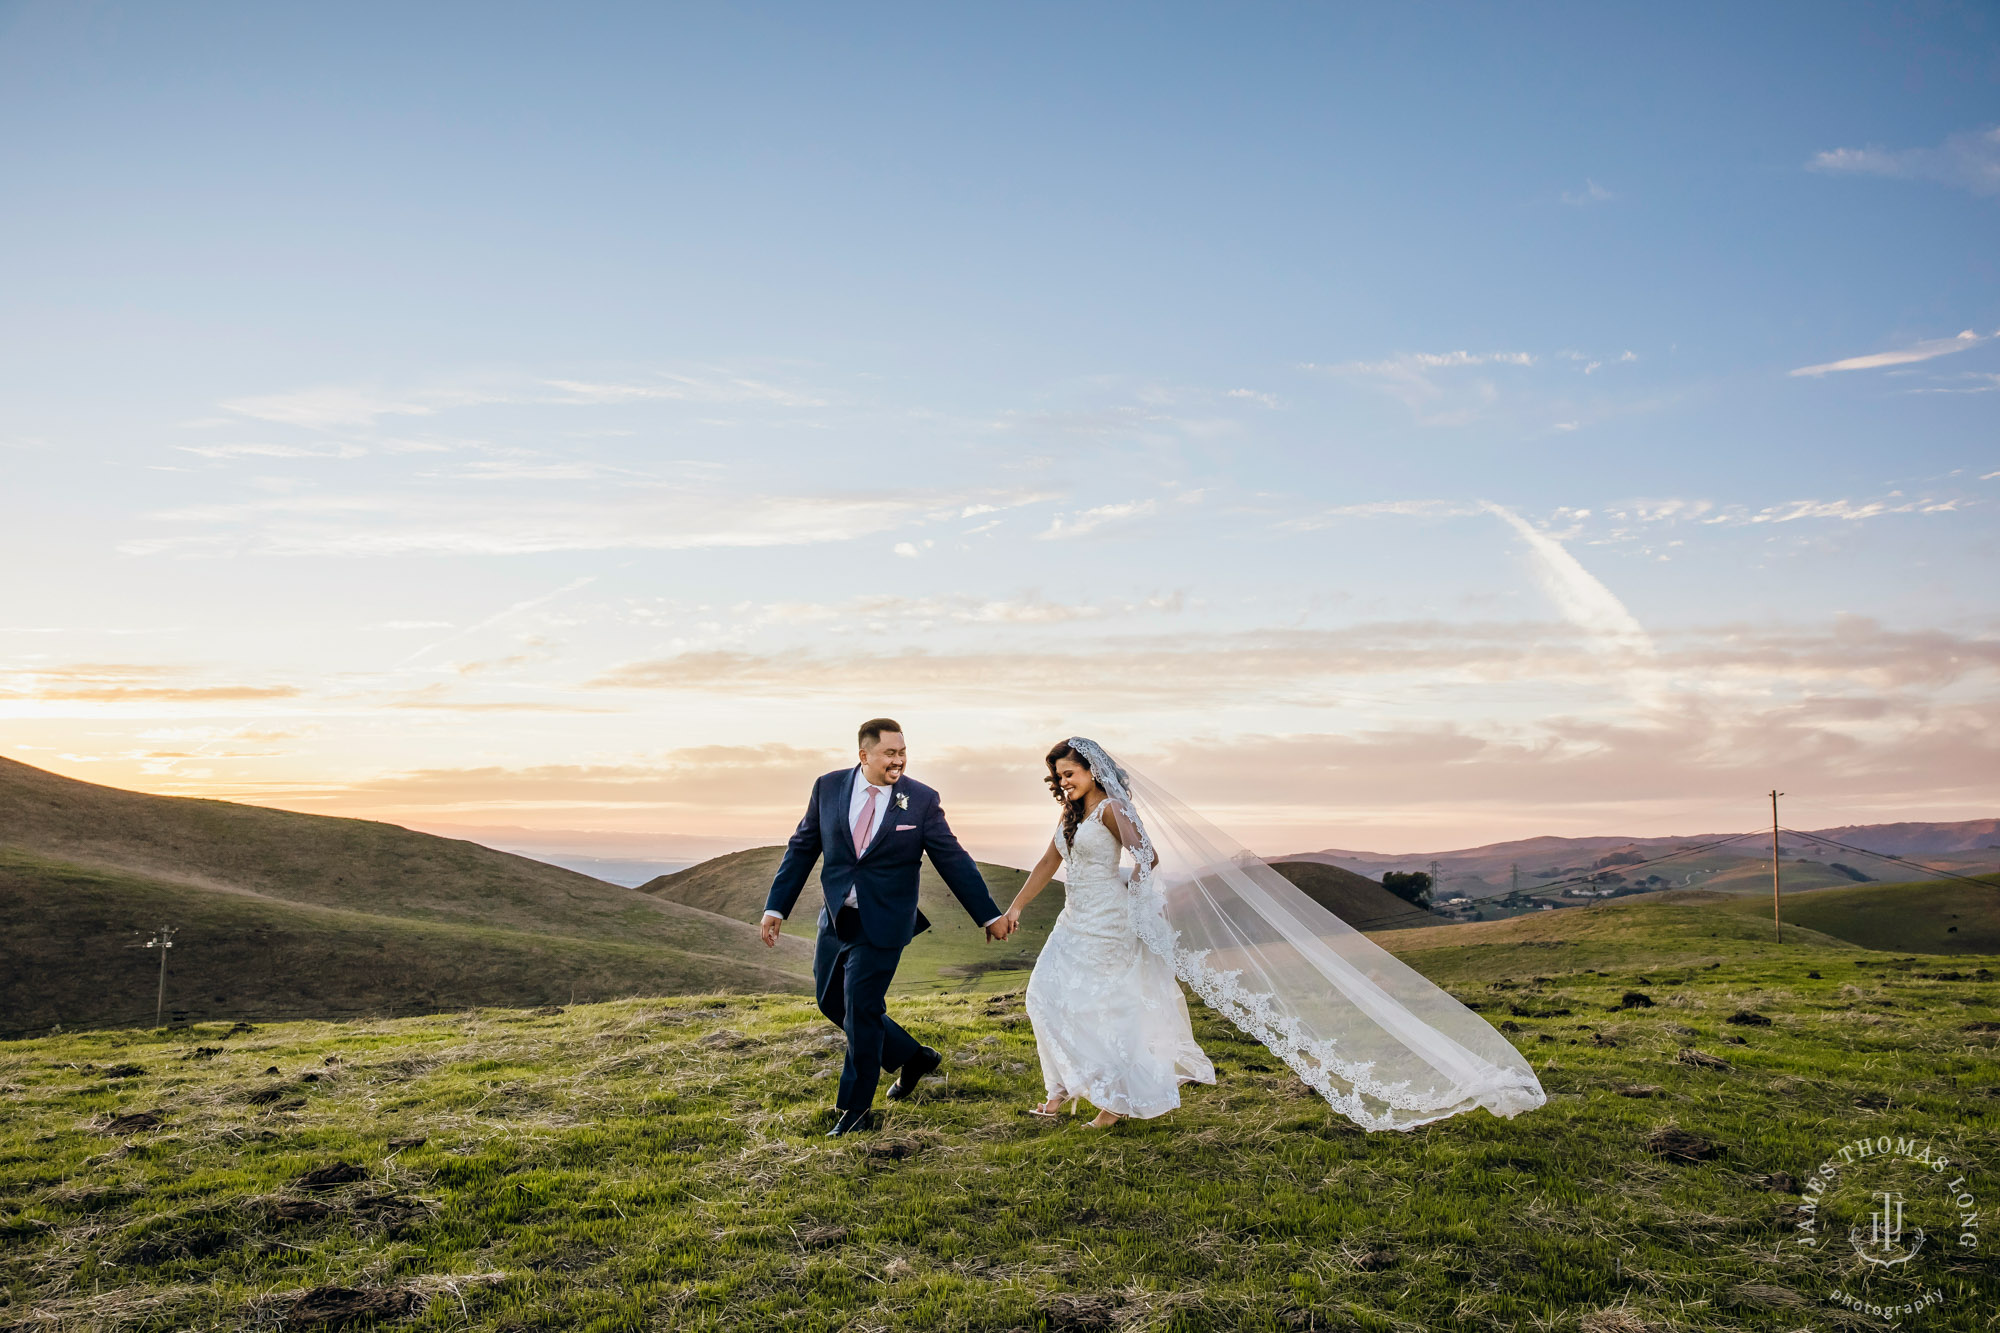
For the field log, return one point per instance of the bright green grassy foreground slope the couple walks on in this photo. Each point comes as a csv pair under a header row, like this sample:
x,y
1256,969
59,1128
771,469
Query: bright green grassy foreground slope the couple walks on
x,y
661,1166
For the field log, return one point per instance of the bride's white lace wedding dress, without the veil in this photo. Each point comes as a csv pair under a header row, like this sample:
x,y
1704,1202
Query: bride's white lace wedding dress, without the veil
x,y
1109,1018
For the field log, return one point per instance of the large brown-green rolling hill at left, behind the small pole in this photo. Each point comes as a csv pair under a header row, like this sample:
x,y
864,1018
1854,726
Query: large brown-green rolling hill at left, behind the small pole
x,y
307,916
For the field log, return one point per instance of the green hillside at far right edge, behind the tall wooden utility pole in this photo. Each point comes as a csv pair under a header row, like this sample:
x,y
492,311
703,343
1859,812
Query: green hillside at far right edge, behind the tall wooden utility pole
x,y
1939,916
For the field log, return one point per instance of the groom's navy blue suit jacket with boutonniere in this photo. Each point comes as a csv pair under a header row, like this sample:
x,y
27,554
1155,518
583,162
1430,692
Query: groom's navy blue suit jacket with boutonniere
x,y
883,874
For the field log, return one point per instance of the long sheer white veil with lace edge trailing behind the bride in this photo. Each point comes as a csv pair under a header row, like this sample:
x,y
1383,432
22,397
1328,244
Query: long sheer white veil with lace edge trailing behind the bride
x,y
1373,1036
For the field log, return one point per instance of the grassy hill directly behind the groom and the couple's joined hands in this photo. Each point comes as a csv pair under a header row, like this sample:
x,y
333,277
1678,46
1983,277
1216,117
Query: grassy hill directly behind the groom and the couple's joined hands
x,y
953,954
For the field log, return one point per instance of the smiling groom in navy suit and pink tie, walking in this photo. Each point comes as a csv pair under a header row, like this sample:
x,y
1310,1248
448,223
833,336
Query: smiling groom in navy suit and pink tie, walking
x,y
873,826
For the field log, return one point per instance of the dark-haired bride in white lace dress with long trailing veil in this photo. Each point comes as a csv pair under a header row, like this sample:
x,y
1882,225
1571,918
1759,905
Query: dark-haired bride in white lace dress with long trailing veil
x,y
1377,1040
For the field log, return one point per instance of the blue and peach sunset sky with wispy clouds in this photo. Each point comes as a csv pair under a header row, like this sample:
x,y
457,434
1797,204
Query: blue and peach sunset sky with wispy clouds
x,y
1387,427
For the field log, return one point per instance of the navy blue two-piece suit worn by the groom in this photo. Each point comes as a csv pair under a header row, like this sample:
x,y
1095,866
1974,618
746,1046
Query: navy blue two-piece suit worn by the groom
x,y
859,948
